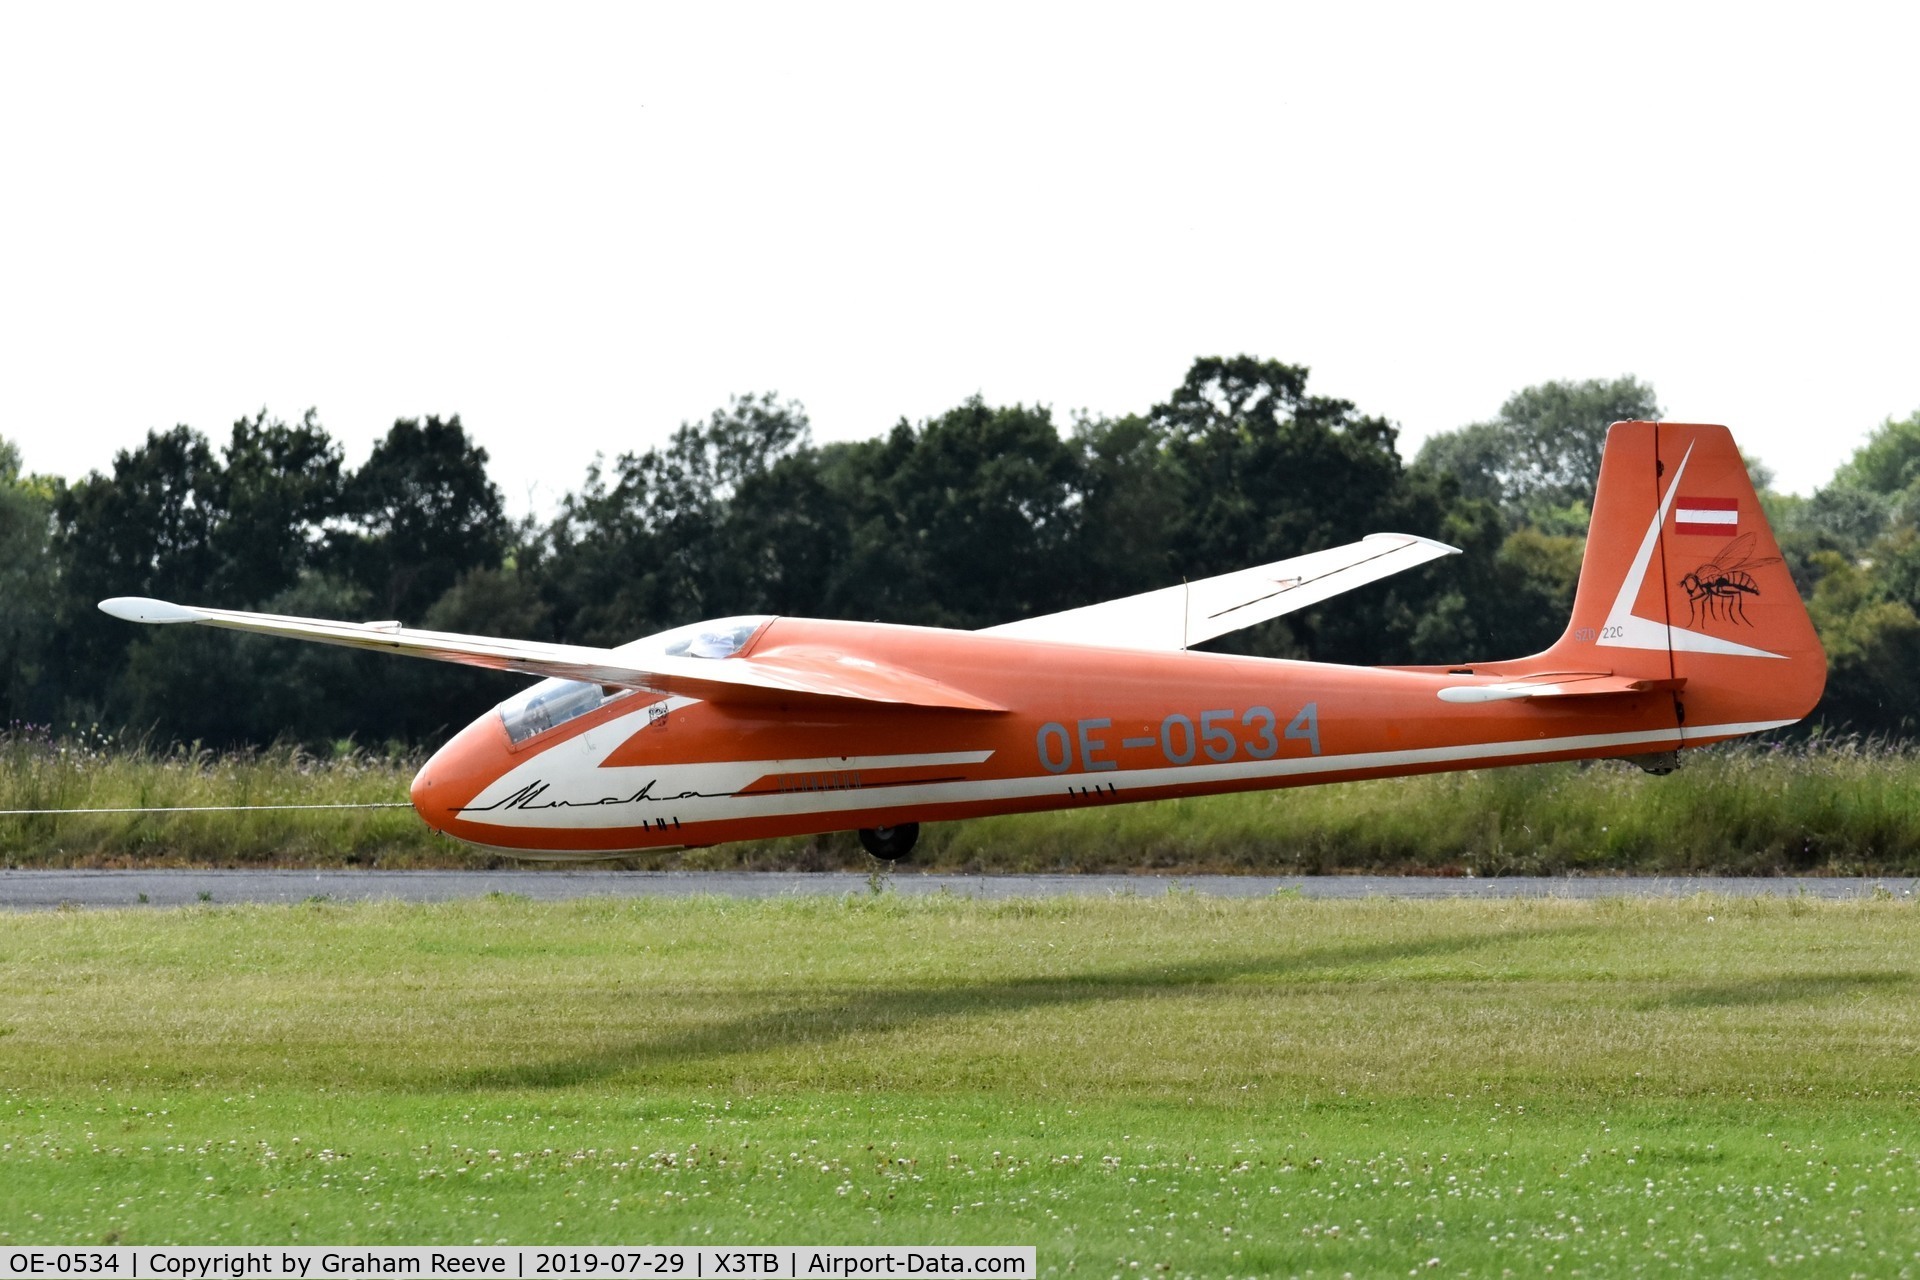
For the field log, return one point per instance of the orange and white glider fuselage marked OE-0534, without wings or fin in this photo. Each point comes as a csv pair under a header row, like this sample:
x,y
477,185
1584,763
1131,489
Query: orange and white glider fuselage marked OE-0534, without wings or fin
x,y
1080,726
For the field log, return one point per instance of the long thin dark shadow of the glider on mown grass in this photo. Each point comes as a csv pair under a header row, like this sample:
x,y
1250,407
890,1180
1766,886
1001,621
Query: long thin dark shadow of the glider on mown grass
x,y
882,1008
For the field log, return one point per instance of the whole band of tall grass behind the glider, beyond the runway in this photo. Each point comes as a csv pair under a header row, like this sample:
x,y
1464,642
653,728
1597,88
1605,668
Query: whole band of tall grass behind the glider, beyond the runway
x,y
1829,807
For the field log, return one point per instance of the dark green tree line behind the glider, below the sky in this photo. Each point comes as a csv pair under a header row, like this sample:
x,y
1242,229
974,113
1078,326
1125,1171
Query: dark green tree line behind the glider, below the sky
x,y
974,517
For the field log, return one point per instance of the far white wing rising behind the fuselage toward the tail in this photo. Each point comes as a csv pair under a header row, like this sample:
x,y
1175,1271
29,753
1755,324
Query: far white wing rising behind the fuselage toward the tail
x,y
1199,611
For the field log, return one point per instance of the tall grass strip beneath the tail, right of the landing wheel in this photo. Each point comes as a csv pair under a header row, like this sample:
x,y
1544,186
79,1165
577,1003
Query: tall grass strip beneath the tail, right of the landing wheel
x,y
1848,807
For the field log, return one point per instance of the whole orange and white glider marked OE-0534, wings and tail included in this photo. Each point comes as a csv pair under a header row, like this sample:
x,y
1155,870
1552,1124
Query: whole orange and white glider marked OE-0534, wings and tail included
x,y
1687,630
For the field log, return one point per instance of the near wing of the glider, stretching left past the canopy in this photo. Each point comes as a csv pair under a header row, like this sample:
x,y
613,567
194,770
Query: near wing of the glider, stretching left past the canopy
x,y
784,675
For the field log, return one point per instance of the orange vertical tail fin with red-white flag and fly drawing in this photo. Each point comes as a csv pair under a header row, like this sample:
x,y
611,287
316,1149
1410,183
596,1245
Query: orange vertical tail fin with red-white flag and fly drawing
x,y
1683,581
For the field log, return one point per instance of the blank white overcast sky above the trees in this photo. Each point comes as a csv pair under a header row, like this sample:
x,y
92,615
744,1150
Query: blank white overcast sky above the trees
x,y
581,225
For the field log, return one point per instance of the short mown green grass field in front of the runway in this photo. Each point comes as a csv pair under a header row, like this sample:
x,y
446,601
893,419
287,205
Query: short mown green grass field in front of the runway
x,y
1140,1087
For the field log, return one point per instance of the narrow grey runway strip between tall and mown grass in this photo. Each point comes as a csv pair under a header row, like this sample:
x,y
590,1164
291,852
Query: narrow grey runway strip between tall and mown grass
x,y
166,889
